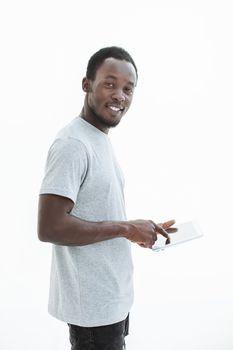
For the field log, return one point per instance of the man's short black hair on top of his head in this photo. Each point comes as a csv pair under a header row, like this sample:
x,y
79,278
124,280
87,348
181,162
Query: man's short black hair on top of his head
x,y
98,58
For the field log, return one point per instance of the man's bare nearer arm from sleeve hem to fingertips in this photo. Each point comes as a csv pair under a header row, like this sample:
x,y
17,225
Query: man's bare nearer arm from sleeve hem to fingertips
x,y
56,225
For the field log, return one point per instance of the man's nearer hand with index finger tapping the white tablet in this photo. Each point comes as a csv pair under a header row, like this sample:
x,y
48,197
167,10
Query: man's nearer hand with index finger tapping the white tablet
x,y
144,232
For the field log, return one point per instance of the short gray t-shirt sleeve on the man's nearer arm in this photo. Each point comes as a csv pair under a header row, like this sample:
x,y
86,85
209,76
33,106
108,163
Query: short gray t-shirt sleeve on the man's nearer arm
x,y
66,168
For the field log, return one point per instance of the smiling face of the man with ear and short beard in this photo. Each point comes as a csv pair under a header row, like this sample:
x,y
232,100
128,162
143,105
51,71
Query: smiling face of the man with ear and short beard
x,y
109,96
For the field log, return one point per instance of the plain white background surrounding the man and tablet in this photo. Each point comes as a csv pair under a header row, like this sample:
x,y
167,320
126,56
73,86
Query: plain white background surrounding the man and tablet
x,y
174,145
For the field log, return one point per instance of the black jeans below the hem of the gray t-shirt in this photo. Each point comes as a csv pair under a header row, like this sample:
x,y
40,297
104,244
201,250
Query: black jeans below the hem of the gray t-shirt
x,y
110,337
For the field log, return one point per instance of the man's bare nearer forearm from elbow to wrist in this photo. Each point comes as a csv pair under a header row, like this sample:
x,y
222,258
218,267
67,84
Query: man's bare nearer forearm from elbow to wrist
x,y
72,231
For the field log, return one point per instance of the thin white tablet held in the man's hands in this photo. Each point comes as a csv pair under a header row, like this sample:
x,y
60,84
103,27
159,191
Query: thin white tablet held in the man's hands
x,y
186,232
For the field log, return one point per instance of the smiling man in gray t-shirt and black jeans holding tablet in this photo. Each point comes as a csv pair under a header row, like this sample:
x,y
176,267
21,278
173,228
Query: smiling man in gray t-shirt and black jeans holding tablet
x,y
82,212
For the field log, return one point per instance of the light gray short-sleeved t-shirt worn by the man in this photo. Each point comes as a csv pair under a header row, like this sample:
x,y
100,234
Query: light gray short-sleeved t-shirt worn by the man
x,y
90,285
